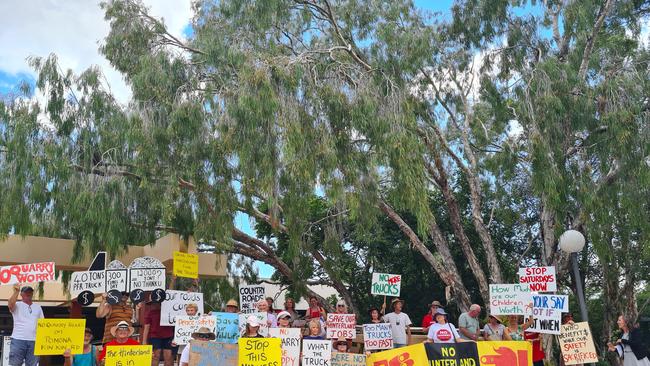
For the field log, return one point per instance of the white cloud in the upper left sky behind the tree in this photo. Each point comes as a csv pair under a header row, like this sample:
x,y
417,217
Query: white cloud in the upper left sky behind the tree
x,y
73,29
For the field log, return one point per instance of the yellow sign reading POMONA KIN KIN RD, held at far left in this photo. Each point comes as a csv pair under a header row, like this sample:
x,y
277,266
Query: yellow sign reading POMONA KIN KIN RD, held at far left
x,y
54,336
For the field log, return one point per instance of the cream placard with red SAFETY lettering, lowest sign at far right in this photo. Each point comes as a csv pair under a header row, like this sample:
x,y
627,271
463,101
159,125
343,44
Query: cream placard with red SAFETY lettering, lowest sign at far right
x,y
577,344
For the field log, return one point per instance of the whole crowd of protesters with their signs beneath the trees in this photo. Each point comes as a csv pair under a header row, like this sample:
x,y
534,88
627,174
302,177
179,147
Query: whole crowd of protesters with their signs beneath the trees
x,y
252,330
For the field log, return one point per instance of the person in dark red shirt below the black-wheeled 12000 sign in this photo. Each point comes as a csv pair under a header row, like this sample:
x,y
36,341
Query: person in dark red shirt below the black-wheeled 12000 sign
x,y
160,337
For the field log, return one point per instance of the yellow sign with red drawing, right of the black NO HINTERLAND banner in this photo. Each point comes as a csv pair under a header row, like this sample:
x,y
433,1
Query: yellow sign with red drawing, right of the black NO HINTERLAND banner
x,y
505,353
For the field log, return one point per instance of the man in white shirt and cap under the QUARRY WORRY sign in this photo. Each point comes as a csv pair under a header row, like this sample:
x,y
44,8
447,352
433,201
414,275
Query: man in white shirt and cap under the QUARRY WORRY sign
x,y
23,336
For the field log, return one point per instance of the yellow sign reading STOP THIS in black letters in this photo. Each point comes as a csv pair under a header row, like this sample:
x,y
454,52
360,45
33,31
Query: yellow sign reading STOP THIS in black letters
x,y
260,352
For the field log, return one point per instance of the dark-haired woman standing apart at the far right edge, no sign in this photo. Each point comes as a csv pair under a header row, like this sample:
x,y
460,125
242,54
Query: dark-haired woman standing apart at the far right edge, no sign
x,y
630,346
